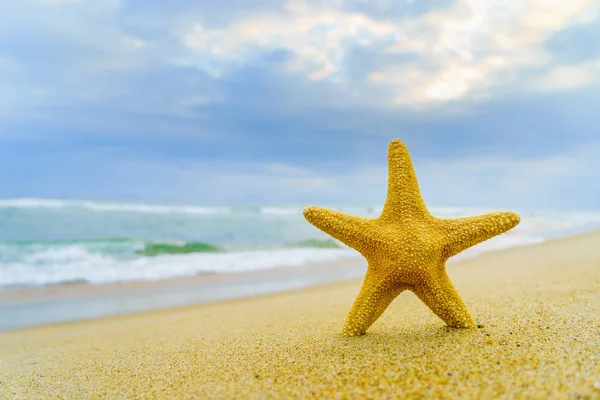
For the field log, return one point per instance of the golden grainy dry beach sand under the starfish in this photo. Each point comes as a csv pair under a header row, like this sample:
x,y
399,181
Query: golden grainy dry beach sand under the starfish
x,y
538,307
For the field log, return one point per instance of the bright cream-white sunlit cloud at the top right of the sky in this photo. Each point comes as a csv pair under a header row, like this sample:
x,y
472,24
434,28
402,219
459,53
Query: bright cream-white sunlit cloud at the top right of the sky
x,y
466,50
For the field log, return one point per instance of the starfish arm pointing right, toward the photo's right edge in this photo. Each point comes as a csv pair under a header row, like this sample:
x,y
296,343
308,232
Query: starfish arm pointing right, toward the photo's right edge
x,y
462,233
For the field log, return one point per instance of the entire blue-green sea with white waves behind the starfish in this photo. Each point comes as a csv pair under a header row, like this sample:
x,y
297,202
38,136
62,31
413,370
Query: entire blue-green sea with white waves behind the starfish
x,y
52,242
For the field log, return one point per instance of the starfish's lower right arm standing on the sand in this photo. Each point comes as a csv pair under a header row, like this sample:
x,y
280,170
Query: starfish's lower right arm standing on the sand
x,y
441,297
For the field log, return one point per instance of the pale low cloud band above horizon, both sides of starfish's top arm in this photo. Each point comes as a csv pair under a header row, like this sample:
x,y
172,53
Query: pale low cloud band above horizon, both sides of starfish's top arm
x,y
562,181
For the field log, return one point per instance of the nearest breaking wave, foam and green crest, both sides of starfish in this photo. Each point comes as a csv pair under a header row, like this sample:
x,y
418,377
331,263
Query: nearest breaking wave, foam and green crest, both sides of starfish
x,y
90,262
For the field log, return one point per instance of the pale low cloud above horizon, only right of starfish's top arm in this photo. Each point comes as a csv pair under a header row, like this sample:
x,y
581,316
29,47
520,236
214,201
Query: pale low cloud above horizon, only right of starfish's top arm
x,y
558,180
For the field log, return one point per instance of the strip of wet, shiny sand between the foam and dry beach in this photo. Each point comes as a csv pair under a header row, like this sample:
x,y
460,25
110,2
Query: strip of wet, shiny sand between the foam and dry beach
x,y
36,306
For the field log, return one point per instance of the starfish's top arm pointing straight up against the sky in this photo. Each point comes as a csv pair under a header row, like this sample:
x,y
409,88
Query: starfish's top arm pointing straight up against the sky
x,y
403,197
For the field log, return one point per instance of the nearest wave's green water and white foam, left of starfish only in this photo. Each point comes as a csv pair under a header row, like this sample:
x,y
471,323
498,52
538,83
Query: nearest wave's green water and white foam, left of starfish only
x,y
104,260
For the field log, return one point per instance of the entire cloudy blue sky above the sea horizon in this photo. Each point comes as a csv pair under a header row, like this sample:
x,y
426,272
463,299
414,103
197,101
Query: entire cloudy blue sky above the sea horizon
x,y
294,102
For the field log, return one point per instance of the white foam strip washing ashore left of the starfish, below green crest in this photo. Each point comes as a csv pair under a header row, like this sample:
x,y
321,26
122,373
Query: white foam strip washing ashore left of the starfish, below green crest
x,y
74,263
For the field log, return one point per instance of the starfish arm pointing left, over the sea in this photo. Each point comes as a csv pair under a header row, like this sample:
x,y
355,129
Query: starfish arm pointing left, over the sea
x,y
356,232
